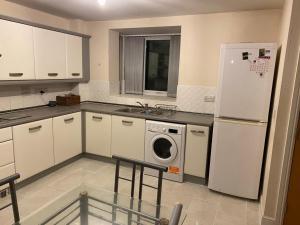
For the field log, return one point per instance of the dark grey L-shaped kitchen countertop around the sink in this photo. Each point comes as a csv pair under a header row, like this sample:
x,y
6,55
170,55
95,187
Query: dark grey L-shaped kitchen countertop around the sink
x,y
45,112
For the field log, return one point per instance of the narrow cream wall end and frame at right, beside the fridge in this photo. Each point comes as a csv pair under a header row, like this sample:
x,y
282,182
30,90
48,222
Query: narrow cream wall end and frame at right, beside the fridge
x,y
281,133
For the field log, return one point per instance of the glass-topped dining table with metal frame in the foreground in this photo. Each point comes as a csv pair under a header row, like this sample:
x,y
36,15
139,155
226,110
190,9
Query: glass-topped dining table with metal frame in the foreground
x,y
88,205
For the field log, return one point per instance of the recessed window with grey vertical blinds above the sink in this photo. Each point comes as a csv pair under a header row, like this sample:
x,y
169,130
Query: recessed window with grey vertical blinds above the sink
x,y
149,64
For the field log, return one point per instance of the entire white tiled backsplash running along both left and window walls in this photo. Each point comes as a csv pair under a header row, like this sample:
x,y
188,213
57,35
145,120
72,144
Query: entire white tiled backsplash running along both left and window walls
x,y
189,98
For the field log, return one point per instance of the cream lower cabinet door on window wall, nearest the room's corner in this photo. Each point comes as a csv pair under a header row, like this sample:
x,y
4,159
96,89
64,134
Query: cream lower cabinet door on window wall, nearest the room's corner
x,y
98,133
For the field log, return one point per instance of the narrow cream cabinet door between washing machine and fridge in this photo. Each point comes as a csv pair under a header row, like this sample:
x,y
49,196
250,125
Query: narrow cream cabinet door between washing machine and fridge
x,y
196,150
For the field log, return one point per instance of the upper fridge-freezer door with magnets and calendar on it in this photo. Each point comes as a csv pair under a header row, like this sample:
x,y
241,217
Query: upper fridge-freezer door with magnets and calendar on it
x,y
246,79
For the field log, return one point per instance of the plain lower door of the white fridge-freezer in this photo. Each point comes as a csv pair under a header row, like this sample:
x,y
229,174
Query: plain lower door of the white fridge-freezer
x,y
236,160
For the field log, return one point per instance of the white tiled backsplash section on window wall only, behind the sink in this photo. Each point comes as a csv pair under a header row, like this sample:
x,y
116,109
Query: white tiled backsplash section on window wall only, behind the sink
x,y
189,98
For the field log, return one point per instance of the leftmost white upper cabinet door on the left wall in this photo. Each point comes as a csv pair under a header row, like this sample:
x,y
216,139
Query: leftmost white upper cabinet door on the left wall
x,y
16,51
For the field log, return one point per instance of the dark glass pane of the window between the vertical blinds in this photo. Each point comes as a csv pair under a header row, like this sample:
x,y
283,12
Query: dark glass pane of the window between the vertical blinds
x,y
157,65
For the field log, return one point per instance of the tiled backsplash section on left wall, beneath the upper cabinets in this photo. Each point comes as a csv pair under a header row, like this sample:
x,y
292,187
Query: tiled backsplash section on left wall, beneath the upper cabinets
x,y
16,97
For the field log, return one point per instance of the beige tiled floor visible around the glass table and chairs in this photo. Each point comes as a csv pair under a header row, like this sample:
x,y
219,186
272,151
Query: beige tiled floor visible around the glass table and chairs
x,y
203,206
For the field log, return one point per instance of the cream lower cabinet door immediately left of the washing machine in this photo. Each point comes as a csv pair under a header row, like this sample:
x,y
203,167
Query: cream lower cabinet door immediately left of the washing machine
x,y
128,137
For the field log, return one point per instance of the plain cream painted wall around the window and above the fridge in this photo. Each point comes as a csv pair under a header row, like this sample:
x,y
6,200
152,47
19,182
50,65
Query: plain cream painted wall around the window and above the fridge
x,y
201,38
